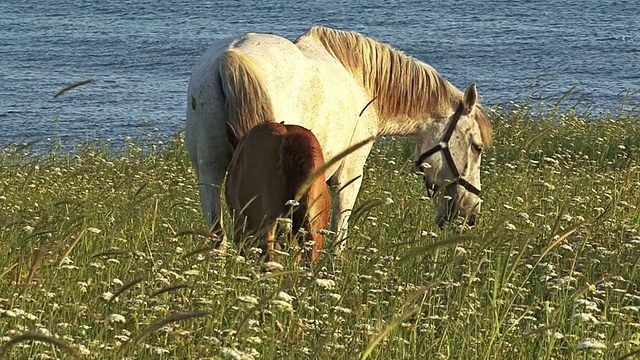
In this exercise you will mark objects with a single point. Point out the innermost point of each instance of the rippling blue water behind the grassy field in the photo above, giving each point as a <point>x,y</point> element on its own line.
<point>141,53</point>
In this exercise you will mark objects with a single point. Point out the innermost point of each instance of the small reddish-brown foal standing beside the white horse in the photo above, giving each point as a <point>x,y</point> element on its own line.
<point>270,163</point>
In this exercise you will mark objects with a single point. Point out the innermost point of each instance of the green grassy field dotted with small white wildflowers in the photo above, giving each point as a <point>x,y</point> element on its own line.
<point>104,258</point>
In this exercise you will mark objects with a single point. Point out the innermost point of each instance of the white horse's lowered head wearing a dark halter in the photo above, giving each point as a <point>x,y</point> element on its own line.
<point>449,153</point>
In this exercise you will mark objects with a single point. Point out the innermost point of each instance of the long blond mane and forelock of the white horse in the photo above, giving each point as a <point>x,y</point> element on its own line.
<point>401,85</point>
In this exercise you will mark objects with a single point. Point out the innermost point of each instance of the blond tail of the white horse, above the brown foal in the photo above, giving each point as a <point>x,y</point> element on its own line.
<point>247,100</point>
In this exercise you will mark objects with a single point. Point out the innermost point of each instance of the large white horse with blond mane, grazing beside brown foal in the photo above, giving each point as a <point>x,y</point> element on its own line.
<point>325,79</point>
